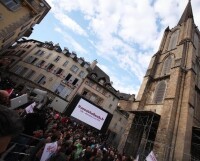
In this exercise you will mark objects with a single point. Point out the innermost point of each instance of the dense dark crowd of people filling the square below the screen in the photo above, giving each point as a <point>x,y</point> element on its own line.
<point>74,140</point>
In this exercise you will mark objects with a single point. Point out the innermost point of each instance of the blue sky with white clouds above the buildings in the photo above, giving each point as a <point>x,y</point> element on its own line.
<point>122,35</point>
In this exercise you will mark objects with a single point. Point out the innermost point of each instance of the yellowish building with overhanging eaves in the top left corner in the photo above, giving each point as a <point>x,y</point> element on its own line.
<point>18,17</point>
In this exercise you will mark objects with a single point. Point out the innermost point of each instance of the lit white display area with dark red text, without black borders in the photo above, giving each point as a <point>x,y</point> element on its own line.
<point>90,114</point>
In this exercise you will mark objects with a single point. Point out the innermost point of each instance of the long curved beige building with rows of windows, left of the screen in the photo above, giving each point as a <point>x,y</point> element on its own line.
<point>36,64</point>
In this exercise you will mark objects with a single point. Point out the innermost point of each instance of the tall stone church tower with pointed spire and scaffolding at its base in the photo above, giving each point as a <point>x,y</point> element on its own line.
<point>165,118</point>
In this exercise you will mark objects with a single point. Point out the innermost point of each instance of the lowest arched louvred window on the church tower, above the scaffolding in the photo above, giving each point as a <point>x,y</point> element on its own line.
<point>160,92</point>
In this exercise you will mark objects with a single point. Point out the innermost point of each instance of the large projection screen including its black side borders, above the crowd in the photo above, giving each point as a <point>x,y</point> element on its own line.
<point>89,113</point>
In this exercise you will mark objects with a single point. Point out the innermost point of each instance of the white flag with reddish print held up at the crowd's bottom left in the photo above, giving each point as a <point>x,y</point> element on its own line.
<point>49,149</point>
